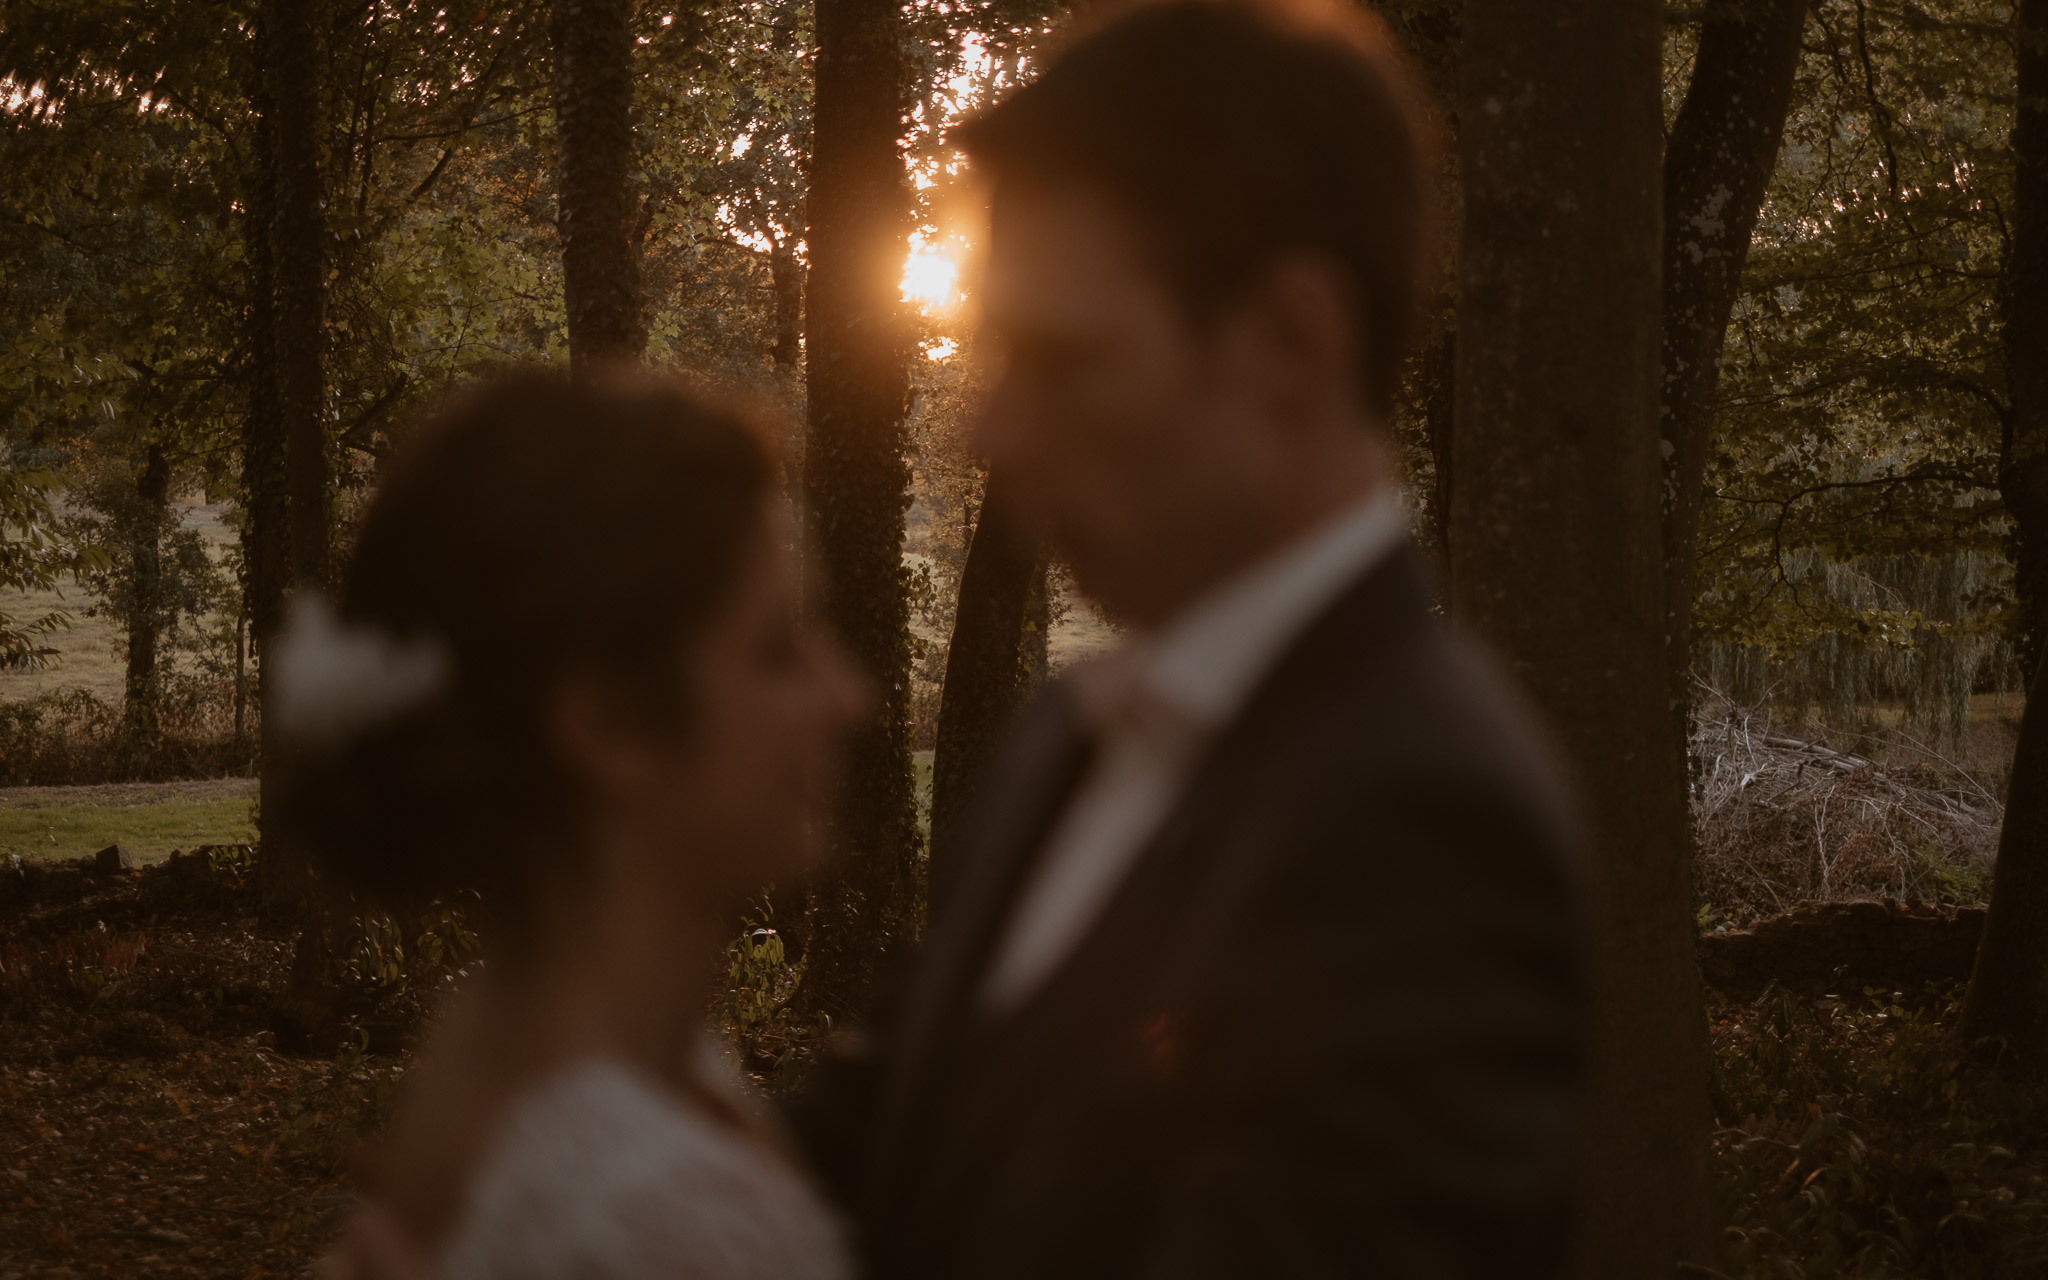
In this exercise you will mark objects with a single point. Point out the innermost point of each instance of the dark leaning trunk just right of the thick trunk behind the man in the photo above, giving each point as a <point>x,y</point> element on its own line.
<point>1717,169</point>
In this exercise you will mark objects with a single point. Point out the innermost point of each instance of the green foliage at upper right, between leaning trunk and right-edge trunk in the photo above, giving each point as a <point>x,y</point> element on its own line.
<point>1852,538</point>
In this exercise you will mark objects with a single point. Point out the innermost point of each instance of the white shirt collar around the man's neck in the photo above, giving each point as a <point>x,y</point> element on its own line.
<point>1209,660</point>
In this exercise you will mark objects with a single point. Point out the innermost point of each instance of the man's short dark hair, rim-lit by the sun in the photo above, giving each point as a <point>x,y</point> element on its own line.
<point>1230,132</point>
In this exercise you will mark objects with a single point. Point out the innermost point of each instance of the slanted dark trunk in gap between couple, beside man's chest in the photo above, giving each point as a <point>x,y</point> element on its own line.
<point>986,667</point>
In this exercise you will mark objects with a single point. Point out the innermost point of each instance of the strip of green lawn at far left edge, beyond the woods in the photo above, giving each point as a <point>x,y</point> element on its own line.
<point>148,818</point>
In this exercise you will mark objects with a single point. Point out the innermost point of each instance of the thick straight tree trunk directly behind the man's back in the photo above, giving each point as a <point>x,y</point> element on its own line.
<point>1555,554</point>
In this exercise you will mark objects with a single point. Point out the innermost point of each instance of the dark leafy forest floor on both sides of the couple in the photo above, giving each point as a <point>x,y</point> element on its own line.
<point>153,1127</point>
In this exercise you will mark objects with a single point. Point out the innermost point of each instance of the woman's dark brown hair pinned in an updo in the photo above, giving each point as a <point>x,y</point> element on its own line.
<point>531,531</point>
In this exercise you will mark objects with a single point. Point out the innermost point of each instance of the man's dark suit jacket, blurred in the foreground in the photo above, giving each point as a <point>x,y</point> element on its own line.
<point>1328,1027</point>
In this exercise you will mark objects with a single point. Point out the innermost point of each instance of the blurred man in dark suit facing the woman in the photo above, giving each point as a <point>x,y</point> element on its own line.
<point>1261,957</point>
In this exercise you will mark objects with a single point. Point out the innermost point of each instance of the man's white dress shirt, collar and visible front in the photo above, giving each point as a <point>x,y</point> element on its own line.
<point>1154,706</point>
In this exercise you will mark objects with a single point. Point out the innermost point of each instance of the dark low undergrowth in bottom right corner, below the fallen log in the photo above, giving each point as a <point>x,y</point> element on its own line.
<point>1859,1140</point>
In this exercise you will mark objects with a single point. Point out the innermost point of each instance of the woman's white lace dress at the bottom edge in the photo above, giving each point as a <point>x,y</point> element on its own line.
<point>605,1177</point>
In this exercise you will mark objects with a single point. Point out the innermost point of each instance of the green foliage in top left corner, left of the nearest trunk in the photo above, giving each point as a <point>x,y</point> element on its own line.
<point>118,232</point>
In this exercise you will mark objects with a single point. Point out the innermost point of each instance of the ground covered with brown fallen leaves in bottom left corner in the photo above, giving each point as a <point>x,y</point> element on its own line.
<point>148,1125</point>
